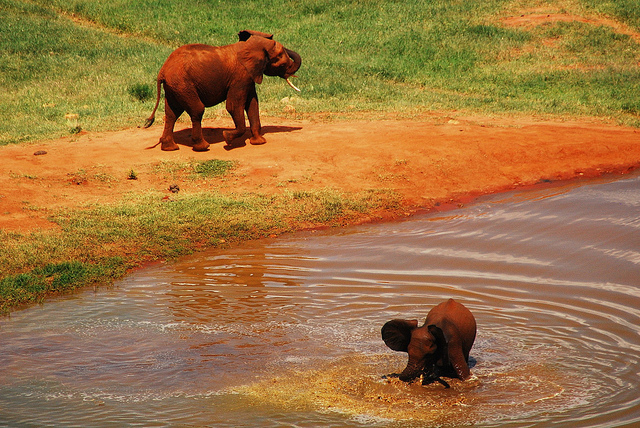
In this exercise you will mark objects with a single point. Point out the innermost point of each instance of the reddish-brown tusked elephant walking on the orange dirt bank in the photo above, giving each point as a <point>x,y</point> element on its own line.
<point>198,76</point>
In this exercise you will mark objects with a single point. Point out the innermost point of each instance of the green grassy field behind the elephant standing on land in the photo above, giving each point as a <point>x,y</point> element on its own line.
<point>376,55</point>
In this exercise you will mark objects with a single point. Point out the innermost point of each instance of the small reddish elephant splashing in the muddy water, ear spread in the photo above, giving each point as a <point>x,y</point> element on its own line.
<point>438,348</point>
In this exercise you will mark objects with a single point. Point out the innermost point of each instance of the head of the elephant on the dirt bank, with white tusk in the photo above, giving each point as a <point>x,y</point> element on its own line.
<point>263,55</point>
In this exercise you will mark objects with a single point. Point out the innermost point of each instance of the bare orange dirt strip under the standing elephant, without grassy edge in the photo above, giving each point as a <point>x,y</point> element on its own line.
<point>430,160</point>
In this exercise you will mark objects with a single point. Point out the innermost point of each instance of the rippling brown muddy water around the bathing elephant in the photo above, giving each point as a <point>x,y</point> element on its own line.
<point>286,332</point>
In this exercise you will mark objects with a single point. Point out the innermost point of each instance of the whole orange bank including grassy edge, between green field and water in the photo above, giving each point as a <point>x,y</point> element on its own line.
<point>311,174</point>
